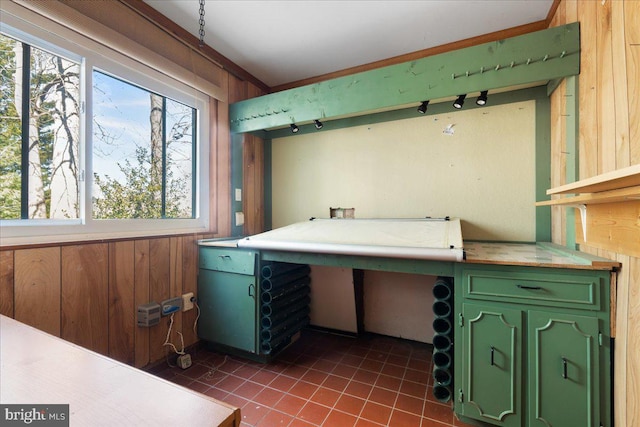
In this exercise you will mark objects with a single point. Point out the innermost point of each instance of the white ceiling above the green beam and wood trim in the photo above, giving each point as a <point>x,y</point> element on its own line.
<point>280,41</point>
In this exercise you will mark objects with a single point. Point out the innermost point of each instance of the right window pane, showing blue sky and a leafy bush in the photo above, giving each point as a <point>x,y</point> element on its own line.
<point>142,157</point>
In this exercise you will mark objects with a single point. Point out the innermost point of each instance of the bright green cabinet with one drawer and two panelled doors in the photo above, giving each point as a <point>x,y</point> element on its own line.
<point>534,346</point>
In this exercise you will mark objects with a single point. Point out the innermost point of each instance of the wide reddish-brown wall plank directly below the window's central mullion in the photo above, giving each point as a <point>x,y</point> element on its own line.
<point>85,296</point>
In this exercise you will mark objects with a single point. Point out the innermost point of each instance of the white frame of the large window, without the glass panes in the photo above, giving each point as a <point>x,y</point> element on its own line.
<point>63,42</point>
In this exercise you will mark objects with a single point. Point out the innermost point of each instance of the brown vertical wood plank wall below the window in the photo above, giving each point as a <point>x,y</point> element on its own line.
<point>88,293</point>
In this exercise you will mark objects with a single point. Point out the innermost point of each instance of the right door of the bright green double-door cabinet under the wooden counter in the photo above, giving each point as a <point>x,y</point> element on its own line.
<point>563,370</point>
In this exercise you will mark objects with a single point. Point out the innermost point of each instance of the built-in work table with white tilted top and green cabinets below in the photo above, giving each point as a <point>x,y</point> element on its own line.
<point>514,308</point>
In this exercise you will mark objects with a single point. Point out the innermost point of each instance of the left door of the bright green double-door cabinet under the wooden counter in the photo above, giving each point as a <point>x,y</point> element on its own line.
<point>492,364</point>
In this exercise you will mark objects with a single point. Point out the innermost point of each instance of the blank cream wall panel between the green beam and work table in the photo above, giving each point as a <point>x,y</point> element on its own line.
<point>484,173</point>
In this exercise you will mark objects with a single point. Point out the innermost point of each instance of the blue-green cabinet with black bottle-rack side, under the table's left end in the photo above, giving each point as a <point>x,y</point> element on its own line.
<point>250,307</point>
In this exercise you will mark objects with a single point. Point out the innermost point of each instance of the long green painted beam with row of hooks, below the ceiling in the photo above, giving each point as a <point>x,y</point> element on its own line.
<point>535,57</point>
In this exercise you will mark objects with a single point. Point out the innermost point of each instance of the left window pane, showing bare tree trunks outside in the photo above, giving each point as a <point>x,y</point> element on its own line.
<point>48,173</point>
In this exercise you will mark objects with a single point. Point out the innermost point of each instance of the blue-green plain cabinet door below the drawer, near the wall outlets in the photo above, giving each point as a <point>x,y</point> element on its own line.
<point>227,309</point>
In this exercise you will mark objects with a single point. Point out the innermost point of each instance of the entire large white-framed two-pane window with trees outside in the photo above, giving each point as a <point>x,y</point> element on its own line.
<point>93,143</point>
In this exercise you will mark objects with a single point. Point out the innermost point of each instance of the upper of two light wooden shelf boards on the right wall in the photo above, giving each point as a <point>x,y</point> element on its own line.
<point>622,178</point>
